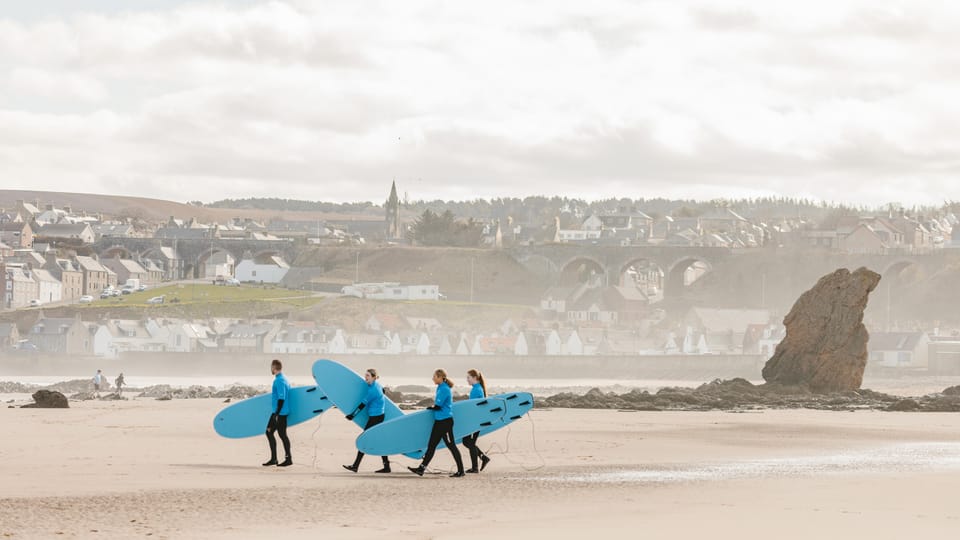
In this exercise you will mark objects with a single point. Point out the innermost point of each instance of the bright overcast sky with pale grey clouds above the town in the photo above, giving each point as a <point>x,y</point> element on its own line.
<point>839,100</point>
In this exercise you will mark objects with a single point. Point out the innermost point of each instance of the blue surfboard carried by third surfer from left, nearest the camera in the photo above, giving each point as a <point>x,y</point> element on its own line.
<point>410,433</point>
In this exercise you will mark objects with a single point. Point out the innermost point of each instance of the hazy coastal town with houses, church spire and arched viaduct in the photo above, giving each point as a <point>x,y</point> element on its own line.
<point>609,283</point>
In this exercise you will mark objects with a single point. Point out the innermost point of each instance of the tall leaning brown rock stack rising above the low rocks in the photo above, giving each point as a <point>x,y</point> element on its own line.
<point>825,348</point>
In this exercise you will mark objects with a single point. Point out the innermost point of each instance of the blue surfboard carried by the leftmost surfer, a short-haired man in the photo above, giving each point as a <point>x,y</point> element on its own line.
<point>248,418</point>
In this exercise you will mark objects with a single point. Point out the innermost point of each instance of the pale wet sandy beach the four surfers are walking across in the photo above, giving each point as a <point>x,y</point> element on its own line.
<point>147,468</point>
